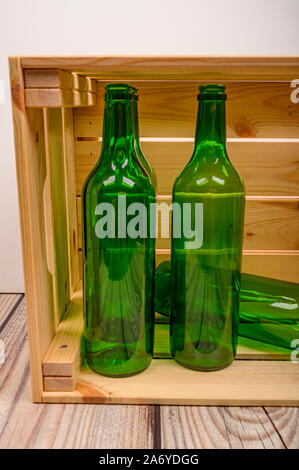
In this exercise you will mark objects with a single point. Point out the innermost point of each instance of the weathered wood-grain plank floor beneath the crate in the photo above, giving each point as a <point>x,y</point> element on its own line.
<point>27,425</point>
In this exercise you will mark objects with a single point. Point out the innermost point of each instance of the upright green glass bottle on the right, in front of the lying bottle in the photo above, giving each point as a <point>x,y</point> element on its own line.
<point>207,245</point>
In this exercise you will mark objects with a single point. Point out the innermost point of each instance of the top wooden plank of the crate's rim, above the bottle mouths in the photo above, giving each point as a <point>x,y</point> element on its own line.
<point>175,67</point>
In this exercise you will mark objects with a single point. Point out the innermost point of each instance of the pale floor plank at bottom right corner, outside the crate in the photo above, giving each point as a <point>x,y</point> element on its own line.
<point>286,421</point>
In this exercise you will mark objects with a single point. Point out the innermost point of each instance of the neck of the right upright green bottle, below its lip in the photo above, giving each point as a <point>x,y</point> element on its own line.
<point>211,125</point>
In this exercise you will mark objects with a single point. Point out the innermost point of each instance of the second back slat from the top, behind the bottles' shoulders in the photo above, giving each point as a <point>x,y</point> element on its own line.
<point>268,169</point>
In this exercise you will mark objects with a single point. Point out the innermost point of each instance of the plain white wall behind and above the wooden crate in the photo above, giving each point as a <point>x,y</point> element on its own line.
<point>219,27</point>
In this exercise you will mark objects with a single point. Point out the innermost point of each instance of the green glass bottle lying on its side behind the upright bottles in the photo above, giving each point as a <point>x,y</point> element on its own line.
<point>269,308</point>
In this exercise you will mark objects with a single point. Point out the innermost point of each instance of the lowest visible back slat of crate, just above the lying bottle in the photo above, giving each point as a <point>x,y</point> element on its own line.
<point>282,265</point>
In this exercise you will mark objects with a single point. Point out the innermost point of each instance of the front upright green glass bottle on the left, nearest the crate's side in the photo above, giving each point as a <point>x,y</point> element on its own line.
<point>118,254</point>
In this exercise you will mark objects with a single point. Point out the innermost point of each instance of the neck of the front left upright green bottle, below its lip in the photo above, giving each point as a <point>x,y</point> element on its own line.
<point>117,127</point>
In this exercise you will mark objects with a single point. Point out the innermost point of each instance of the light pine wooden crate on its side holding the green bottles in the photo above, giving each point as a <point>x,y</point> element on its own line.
<point>57,110</point>
